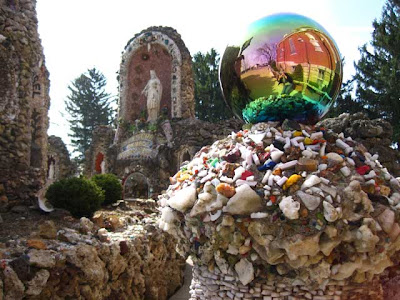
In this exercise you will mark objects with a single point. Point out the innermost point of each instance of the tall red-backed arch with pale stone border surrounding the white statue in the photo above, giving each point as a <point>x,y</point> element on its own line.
<point>176,73</point>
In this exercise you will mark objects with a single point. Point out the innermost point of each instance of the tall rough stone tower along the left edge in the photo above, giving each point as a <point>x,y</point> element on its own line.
<point>24,102</point>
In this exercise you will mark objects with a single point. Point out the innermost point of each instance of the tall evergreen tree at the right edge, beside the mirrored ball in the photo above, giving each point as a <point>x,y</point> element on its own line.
<point>378,70</point>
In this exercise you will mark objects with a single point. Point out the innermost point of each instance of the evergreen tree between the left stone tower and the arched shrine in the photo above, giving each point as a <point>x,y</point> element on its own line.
<point>88,106</point>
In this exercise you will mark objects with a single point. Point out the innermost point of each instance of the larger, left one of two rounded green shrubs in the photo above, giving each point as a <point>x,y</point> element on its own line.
<point>80,196</point>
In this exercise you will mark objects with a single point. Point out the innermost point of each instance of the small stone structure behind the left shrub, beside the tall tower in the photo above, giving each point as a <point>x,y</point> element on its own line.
<point>59,165</point>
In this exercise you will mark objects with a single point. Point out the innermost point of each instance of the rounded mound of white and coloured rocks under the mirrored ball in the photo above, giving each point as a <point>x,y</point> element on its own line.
<point>293,204</point>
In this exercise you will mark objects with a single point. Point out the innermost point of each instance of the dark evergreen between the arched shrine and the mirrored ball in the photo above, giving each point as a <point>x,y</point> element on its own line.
<point>210,105</point>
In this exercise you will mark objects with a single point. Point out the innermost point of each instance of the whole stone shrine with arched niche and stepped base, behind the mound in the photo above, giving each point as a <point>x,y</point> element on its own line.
<point>145,154</point>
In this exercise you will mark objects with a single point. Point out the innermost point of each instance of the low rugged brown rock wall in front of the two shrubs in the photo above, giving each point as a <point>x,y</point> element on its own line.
<point>131,259</point>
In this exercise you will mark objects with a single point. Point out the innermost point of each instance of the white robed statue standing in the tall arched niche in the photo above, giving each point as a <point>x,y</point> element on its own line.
<point>153,91</point>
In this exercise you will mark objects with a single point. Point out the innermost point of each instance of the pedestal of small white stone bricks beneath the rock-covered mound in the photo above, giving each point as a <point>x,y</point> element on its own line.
<point>215,285</point>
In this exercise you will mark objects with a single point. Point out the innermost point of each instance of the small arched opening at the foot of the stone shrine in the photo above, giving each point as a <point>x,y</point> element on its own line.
<point>136,185</point>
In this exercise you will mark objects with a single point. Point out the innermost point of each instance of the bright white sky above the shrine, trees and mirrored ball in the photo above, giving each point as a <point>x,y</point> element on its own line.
<point>81,34</point>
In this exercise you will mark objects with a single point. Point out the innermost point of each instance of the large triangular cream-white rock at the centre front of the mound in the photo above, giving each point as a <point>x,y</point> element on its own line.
<point>244,202</point>
